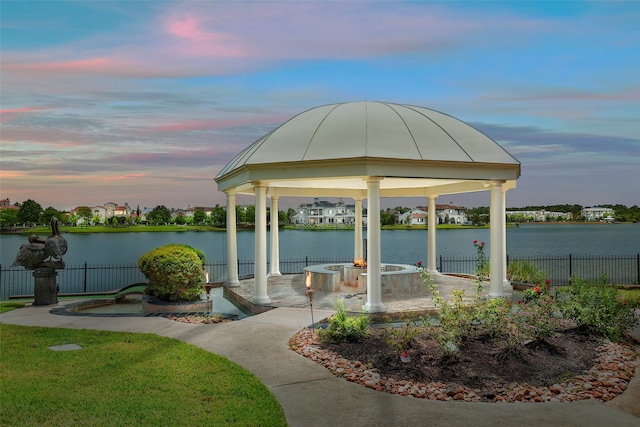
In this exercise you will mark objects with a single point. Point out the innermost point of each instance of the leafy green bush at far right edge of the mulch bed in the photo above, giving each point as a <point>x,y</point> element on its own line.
<point>598,308</point>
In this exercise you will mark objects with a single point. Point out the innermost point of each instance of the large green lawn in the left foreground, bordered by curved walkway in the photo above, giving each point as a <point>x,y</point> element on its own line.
<point>124,379</point>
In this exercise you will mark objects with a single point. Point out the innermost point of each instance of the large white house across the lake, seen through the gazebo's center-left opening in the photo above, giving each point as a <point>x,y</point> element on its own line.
<point>325,212</point>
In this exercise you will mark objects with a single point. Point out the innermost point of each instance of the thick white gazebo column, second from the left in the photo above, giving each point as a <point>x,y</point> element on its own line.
<point>260,267</point>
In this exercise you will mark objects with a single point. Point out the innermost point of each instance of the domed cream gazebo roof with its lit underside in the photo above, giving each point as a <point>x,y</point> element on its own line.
<point>331,150</point>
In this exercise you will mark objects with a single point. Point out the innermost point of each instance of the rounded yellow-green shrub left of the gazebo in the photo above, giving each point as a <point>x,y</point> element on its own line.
<point>175,273</point>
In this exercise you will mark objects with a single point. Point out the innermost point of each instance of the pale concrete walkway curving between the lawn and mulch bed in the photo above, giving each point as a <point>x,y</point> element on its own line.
<point>311,396</point>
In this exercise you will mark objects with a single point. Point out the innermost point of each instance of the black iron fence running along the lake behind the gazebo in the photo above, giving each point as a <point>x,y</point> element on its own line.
<point>92,279</point>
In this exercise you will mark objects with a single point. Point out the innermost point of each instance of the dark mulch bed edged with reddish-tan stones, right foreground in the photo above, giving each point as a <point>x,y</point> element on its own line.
<point>569,366</point>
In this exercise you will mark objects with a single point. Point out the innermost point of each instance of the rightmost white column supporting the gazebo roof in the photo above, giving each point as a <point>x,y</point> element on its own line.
<point>496,240</point>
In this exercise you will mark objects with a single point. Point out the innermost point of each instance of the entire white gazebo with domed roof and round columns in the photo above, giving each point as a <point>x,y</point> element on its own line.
<point>367,150</point>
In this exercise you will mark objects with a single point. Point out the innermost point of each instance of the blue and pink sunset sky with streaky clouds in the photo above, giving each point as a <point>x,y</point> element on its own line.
<point>145,101</point>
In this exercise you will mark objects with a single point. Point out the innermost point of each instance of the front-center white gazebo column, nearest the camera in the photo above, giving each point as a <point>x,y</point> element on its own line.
<point>374,285</point>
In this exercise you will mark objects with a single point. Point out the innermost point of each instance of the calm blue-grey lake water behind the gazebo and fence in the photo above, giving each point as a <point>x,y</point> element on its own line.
<point>398,246</point>
